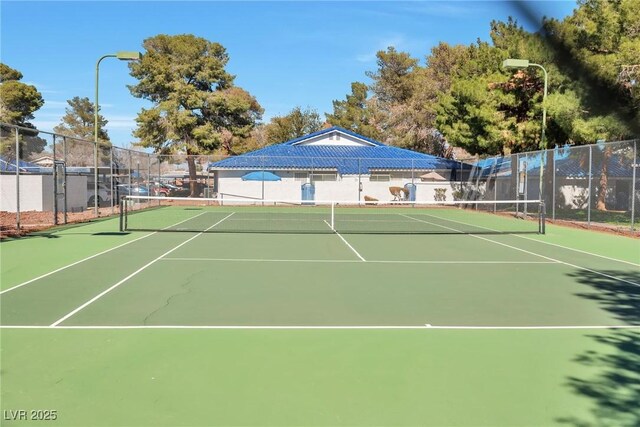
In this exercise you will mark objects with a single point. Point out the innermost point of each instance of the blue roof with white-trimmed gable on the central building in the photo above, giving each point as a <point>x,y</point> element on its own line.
<point>343,158</point>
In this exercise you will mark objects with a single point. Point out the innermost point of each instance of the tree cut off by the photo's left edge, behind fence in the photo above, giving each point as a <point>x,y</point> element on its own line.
<point>18,102</point>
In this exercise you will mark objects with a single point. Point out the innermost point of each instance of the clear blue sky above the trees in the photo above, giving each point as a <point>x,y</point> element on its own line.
<point>285,53</point>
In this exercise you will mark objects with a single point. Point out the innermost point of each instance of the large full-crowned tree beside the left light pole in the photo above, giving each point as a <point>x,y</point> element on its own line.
<point>196,106</point>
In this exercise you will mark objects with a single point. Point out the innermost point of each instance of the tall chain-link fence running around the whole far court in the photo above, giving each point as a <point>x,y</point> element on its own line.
<point>48,179</point>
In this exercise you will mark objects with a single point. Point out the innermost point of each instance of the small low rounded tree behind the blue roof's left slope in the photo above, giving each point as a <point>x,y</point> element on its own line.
<point>297,123</point>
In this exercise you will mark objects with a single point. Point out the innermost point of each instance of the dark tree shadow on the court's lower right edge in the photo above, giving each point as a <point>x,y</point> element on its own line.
<point>614,386</point>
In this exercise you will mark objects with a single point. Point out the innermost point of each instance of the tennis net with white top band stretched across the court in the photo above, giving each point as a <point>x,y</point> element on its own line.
<point>181,214</point>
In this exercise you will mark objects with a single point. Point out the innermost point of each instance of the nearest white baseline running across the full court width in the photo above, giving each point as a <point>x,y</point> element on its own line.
<point>328,327</point>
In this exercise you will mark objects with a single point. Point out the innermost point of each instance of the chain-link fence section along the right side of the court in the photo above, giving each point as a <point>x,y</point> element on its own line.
<point>589,186</point>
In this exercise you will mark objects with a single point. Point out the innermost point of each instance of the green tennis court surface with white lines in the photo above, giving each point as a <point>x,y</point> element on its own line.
<point>404,318</point>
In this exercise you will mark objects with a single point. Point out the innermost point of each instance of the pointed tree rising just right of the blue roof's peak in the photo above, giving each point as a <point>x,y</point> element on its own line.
<point>355,113</point>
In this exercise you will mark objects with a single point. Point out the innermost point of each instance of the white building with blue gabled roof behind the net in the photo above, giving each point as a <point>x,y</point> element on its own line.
<point>336,164</point>
